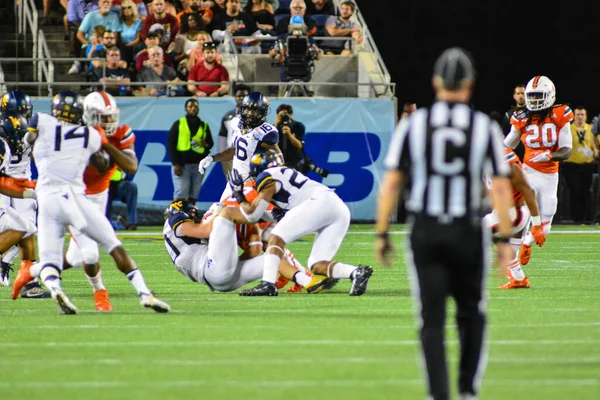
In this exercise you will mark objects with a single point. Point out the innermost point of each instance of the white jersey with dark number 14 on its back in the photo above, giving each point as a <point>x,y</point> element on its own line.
<point>61,152</point>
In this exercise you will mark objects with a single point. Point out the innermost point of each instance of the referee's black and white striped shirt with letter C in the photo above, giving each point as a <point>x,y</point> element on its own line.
<point>444,151</point>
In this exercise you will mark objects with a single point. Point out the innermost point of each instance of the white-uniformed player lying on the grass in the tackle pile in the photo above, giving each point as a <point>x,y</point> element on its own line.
<point>206,251</point>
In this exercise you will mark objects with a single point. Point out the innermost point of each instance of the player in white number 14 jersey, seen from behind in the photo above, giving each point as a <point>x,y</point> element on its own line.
<point>62,149</point>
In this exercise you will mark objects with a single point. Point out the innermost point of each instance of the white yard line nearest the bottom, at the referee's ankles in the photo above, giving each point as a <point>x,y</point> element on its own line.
<point>280,384</point>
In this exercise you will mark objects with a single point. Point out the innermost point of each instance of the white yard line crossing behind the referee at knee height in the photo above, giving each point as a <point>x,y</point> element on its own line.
<point>332,342</point>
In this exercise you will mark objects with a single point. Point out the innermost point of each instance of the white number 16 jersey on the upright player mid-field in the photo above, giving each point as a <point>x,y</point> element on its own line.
<point>247,142</point>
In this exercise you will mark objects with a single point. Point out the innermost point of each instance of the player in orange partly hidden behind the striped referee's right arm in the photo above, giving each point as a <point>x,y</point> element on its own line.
<point>525,209</point>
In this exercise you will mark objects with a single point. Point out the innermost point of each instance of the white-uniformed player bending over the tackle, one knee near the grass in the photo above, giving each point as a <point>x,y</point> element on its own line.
<point>311,208</point>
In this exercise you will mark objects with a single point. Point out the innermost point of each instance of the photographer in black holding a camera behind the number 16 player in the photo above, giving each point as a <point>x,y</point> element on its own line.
<point>291,135</point>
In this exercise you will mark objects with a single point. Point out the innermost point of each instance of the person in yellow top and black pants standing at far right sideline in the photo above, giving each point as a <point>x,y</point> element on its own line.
<point>579,168</point>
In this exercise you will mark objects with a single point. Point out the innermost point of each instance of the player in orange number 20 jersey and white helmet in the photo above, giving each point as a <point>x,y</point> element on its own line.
<point>545,130</point>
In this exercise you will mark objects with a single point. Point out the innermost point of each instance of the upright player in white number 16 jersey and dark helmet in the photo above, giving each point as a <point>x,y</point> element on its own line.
<point>252,135</point>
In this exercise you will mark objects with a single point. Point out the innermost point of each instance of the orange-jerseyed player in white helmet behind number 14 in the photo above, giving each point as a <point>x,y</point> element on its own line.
<point>100,110</point>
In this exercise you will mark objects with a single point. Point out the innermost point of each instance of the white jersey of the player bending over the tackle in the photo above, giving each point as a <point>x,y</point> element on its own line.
<point>291,187</point>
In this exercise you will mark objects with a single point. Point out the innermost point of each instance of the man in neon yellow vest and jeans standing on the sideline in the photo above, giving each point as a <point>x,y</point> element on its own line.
<point>189,142</point>
